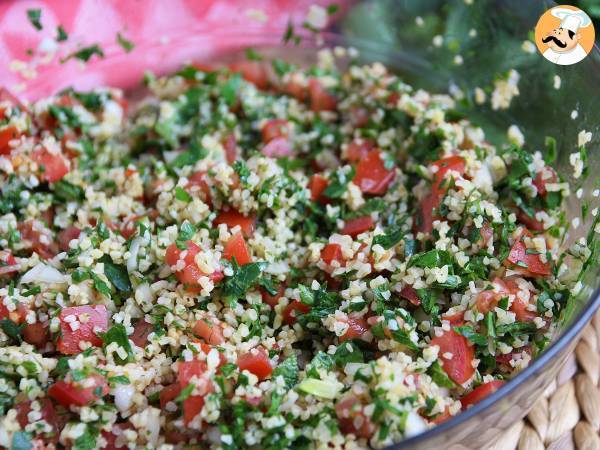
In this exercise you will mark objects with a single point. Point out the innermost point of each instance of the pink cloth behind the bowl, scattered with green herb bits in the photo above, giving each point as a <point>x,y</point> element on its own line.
<point>165,33</point>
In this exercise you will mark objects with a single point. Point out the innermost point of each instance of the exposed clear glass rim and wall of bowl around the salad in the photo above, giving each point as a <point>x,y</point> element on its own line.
<point>390,31</point>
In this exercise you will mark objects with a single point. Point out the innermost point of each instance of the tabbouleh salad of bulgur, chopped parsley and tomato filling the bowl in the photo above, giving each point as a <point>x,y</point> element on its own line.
<point>264,256</point>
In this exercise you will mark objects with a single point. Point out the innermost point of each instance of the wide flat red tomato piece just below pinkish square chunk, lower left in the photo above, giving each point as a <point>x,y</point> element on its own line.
<point>79,393</point>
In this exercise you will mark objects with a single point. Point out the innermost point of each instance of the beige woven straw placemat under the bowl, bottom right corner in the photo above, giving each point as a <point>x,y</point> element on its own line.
<point>568,415</point>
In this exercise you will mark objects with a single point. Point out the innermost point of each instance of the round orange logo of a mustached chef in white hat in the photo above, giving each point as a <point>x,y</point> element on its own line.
<point>564,35</point>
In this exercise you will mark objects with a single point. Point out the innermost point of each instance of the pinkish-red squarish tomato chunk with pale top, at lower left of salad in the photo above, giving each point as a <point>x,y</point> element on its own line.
<point>80,324</point>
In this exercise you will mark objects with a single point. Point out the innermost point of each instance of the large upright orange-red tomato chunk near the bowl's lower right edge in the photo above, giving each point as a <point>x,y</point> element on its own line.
<point>459,366</point>
